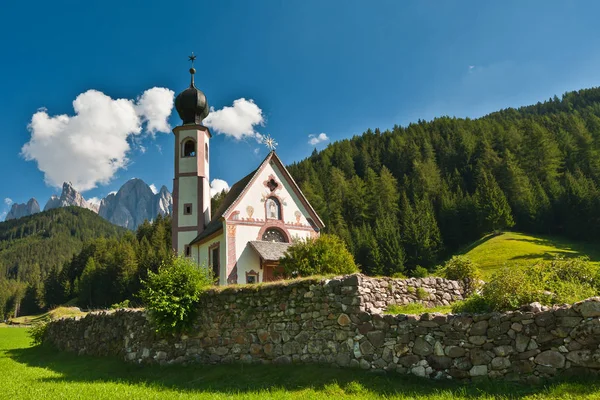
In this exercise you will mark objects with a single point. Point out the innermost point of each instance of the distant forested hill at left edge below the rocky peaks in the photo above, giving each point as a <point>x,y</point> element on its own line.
<point>32,247</point>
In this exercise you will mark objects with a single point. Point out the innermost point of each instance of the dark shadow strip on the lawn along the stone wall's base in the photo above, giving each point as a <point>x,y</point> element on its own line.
<point>238,378</point>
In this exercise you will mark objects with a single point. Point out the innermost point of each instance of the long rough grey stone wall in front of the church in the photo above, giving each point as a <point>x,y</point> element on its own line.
<point>332,322</point>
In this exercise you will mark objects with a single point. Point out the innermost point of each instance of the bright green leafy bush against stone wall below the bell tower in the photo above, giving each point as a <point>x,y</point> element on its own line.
<point>171,295</point>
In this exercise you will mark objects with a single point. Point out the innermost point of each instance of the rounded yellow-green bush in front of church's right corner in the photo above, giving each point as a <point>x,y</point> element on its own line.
<point>322,256</point>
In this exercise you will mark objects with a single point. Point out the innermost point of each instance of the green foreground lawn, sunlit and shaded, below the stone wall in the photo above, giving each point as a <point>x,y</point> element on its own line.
<point>43,373</point>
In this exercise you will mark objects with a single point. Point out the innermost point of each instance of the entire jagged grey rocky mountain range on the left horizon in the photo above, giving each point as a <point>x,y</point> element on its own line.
<point>129,207</point>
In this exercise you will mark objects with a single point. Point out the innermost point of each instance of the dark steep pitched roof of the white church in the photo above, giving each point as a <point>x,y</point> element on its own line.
<point>241,186</point>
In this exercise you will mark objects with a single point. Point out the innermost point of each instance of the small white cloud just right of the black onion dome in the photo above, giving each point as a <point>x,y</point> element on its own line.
<point>238,120</point>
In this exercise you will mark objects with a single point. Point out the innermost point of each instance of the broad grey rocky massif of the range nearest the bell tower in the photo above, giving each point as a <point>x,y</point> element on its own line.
<point>134,203</point>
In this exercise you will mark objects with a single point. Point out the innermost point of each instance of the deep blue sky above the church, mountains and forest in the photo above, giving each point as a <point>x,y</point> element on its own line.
<point>311,67</point>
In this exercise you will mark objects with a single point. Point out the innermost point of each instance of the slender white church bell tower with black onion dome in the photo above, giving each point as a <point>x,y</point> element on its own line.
<point>191,187</point>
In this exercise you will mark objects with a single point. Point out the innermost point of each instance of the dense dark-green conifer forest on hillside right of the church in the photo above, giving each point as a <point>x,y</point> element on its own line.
<point>413,195</point>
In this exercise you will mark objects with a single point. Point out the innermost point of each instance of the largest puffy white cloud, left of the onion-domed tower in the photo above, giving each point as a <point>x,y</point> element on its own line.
<point>89,147</point>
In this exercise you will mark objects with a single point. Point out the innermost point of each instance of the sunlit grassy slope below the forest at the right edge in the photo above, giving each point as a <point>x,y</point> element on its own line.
<point>512,248</point>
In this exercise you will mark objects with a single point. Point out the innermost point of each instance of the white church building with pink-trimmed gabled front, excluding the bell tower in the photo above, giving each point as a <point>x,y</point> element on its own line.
<point>258,219</point>
